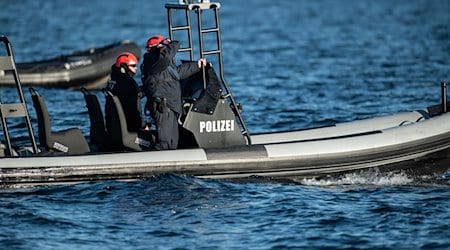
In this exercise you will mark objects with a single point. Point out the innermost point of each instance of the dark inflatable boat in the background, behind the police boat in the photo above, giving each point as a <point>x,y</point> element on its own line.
<point>89,68</point>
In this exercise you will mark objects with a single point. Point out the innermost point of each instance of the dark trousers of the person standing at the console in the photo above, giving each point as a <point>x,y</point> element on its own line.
<point>167,129</point>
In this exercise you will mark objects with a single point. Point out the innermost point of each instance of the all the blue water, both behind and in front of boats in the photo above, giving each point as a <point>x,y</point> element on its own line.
<point>292,64</point>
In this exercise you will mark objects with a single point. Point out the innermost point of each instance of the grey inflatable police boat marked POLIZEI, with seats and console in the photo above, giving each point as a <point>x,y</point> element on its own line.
<point>215,141</point>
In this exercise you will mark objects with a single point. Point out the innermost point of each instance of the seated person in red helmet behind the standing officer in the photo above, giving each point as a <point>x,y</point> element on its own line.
<point>122,84</point>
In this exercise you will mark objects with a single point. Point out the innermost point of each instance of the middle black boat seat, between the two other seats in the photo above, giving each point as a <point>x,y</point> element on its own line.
<point>98,137</point>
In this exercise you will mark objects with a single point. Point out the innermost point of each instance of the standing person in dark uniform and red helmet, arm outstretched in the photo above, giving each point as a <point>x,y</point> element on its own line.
<point>161,84</point>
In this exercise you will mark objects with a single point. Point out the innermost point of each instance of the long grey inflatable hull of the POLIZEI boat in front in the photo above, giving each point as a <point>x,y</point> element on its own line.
<point>420,147</point>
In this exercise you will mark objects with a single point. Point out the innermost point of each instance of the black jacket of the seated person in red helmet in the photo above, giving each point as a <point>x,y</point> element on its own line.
<point>127,90</point>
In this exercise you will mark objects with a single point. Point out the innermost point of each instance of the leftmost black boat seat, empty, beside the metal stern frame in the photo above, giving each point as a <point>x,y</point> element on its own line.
<point>70,141</point>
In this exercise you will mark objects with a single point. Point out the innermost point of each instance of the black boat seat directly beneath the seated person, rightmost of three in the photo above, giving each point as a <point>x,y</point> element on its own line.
<point>117,130</point>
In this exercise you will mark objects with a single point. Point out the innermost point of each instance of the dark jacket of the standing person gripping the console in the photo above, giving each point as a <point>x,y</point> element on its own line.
<point>161,77</point>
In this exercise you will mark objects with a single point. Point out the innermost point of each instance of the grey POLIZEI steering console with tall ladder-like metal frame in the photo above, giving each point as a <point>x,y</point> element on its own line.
<point>213,120</point>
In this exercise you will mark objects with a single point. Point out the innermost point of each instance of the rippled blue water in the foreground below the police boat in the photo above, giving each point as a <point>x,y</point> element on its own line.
<point>169,212</point>
